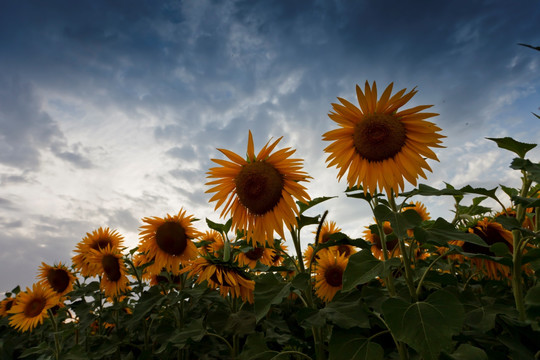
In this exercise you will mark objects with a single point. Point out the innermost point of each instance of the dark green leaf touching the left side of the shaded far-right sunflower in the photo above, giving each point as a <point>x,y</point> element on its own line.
<point>441,232</point>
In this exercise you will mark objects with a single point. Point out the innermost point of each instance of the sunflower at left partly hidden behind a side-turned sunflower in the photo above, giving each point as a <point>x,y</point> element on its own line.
<point>97,239</point>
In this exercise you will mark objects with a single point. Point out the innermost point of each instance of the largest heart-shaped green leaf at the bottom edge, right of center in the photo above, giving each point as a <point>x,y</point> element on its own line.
<point>426,326</point>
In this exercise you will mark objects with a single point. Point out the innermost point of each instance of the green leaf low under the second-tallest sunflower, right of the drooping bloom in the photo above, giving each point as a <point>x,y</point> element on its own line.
<point>269,290</point>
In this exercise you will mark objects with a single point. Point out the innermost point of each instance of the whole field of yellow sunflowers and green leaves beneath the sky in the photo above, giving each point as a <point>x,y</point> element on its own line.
<point>412,287</point>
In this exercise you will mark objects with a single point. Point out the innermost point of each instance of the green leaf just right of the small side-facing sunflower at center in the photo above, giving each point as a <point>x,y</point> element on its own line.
<point>364,267</point>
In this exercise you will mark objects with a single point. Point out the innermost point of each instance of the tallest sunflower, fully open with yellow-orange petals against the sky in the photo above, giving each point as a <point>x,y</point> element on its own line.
<point>378,145</point>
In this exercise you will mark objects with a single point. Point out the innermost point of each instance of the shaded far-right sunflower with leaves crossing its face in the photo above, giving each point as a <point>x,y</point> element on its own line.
<point>491,232</point>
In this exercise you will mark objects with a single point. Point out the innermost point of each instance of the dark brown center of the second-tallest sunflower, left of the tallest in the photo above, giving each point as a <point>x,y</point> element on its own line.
<point>259,187</point>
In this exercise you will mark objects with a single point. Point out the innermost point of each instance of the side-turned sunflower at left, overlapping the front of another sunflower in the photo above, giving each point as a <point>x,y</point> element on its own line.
<point>112,270</point>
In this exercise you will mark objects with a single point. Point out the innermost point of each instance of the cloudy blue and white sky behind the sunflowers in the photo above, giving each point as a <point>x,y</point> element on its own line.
<point>111,111</point>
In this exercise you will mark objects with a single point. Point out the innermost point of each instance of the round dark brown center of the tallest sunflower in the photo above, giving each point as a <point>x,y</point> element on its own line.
<point>379,137</point>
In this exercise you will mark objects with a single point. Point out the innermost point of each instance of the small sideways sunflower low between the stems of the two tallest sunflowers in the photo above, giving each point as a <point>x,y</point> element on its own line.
<point>329,275</point>
